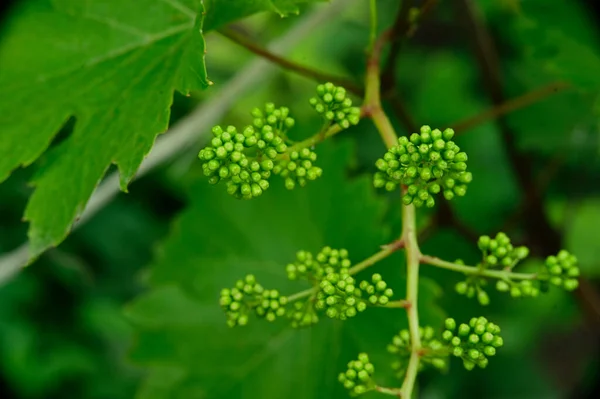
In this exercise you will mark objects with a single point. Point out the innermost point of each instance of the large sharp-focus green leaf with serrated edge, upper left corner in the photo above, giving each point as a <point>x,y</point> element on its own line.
<point>113,66</point>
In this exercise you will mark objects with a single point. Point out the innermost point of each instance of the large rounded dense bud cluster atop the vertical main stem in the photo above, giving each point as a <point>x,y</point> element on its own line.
<point>427,163</point>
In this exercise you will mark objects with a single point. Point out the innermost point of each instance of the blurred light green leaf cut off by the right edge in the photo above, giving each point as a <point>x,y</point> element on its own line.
<point>581,238</point>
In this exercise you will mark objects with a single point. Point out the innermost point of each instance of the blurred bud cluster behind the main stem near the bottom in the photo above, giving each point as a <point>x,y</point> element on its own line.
<point>433,353</point>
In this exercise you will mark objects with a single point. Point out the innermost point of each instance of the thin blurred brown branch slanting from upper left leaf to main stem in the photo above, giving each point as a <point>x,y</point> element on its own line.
<point>290,65</point>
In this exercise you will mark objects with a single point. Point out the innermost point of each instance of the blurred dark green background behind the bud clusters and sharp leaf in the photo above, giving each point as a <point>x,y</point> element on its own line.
<point>63,331</point>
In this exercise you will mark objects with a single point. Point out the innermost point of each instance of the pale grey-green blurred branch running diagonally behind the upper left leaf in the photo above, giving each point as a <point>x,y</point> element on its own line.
<point>191,131</point>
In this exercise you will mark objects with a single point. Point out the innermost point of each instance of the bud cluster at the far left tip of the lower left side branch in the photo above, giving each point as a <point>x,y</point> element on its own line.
<point>247,296</point>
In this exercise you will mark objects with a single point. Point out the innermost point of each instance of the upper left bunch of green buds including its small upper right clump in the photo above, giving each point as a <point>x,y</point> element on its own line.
<point>245,160</point>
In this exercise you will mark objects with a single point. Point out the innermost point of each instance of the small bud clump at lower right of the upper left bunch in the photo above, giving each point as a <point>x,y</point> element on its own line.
<point>299,168</point>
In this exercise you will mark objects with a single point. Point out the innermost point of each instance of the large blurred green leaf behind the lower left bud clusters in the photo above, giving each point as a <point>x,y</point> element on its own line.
<point>182,336</point>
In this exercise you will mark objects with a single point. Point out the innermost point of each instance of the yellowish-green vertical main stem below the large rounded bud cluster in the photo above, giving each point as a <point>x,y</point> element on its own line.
<point>413,258</point>
